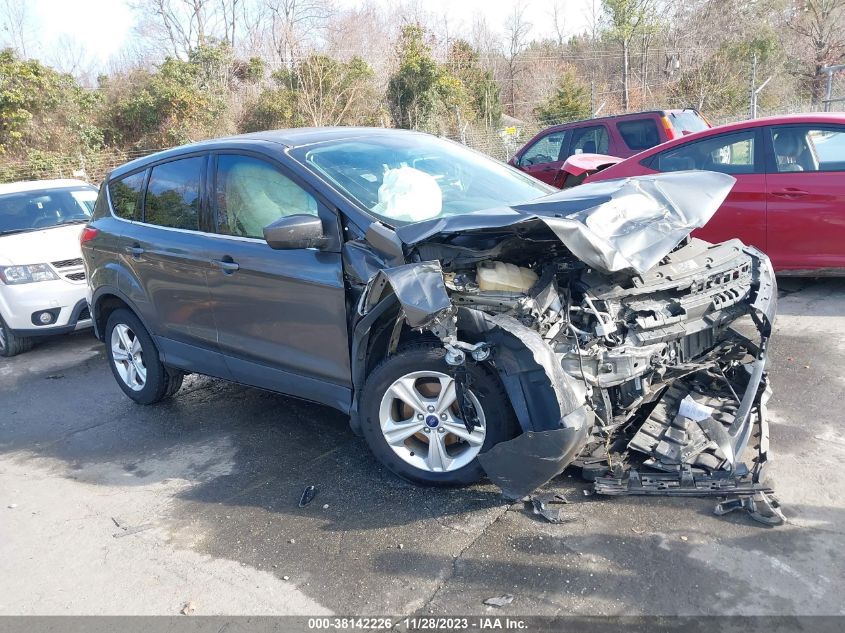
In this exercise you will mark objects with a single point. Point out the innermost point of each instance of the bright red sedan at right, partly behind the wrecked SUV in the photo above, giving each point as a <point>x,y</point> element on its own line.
<point>789,197</point>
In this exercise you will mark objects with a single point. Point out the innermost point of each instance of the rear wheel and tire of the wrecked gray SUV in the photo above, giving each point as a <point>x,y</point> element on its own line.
<point>134,360</point>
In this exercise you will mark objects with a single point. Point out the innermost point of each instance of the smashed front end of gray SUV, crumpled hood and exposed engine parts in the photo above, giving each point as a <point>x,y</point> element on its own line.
<point>614,338</point>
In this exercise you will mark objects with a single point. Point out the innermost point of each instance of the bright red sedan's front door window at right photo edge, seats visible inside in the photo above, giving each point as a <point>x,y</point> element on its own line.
<point>805,148</point>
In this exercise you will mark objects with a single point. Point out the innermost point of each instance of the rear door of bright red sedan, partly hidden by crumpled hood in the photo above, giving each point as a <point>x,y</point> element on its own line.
<point>740,154</point>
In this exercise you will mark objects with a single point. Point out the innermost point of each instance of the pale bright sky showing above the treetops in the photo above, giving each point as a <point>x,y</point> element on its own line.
<point>102,27</point>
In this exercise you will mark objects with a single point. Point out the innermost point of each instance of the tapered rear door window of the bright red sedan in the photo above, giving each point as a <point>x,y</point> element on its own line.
<point>728,154</point>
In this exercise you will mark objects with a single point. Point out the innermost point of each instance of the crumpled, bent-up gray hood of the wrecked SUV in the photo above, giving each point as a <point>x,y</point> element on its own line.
<point>614,225</point>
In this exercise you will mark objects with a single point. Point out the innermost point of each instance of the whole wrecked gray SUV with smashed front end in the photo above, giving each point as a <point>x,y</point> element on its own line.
<point>469,319</point>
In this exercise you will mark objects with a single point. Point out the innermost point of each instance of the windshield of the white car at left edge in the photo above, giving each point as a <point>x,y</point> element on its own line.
<point>44,208</point>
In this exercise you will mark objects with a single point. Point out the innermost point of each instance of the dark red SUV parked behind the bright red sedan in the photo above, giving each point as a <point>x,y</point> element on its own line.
<point>623,135</point>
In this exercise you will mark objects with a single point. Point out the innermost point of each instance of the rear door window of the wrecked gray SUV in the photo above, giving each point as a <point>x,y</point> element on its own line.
<point>173,195</point>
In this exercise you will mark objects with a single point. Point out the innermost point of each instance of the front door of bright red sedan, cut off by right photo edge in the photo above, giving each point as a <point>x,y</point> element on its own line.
<point>805,189</point>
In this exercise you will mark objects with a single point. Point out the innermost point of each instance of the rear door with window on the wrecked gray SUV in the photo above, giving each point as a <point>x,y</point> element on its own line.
<point>168,253</point>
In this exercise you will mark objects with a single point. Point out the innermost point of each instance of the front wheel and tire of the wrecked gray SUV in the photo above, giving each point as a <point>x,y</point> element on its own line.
<point>412,421</point>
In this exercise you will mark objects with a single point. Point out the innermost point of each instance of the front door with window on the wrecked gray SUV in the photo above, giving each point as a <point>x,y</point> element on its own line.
<point>281,314</point>
